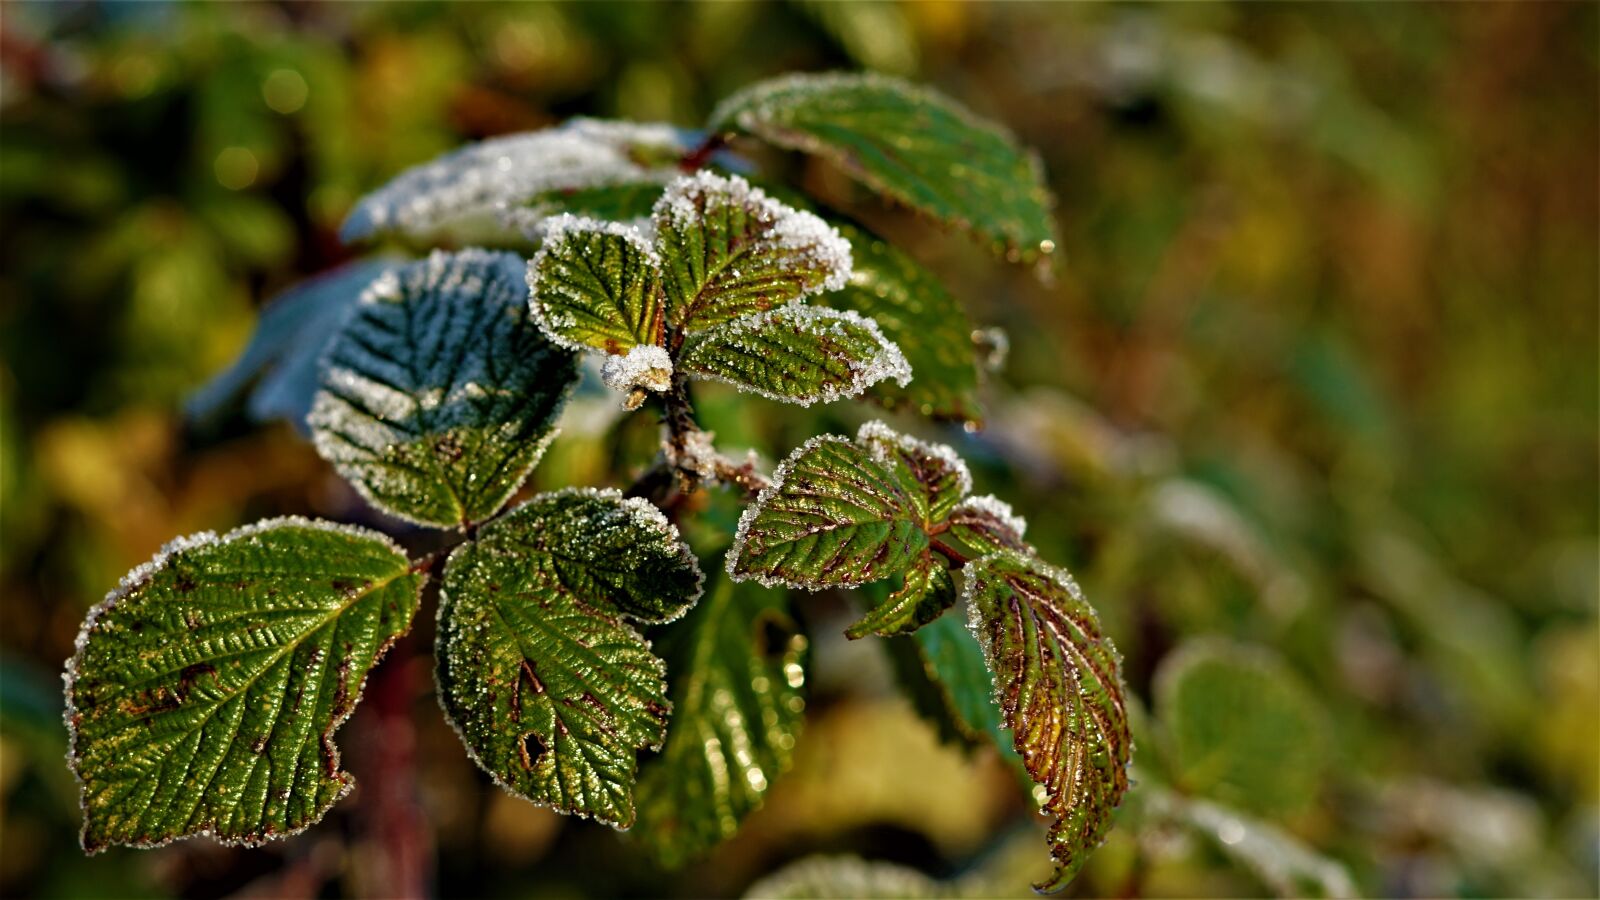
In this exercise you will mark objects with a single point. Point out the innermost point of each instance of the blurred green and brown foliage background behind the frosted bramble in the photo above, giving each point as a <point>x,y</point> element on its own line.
<point>1310,409</point>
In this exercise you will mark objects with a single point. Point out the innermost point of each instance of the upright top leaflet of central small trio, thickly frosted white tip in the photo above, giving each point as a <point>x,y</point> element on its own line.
<point>730,251</point>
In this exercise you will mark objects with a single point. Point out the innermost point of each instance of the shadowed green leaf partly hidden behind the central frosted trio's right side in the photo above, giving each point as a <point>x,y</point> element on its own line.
<point>929,326</point>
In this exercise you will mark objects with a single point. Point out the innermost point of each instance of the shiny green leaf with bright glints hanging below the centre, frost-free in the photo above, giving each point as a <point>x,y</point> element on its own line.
<point>738,673</point>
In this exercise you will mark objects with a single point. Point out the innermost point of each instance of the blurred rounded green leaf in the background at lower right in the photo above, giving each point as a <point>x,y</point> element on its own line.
<point>1241,728</point>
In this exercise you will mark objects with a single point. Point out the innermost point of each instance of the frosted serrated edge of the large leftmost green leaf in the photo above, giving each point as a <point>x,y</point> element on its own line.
<point>142,576</point>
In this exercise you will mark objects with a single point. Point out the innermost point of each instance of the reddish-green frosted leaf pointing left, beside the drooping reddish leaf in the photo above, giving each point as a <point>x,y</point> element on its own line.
<point>834,516</point>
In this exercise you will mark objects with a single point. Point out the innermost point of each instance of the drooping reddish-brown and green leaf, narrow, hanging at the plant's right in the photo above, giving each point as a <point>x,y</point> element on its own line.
<point>1060,691</point>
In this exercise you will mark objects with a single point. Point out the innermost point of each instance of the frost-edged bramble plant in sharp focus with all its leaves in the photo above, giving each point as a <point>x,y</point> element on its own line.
<point>207,689</point>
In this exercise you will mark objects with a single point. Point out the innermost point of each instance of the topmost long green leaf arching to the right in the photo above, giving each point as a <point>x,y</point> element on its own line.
<point>910,143</point>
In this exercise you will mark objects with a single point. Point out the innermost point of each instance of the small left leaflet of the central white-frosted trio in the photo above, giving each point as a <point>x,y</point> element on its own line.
<point>598,286</point>
